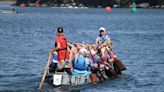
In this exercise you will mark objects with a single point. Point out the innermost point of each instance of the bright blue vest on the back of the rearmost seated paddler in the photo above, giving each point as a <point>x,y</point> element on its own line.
<point>81,63</point>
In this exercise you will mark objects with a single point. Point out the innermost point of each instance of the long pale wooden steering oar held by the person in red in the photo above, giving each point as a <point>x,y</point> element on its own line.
<point>46,70</point>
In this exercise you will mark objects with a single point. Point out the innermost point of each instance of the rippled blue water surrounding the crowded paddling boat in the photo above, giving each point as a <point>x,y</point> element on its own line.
<point>25,40</point>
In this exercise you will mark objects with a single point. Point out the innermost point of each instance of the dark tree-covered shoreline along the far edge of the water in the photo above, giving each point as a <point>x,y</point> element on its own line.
<point>94,3</point>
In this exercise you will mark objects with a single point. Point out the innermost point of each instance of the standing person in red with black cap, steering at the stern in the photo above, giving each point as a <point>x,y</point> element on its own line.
<point>61,48</point>
